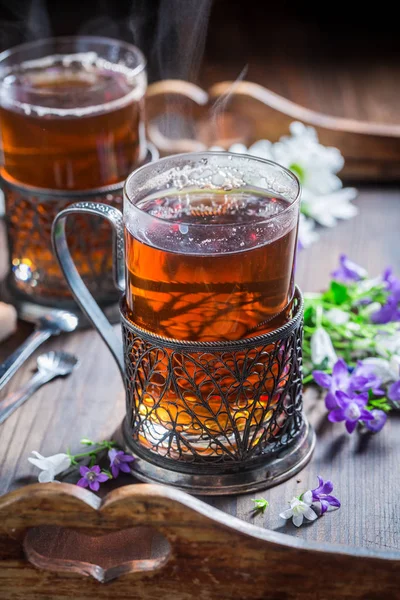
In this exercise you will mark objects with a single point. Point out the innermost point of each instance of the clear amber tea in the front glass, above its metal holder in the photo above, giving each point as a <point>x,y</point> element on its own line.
<point>235,289</point>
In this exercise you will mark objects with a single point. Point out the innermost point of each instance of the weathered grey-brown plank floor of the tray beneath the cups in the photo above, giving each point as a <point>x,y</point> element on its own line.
<point>366,473</point>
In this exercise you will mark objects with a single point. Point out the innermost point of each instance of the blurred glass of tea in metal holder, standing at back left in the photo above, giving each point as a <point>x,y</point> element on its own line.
<point>71,127</point>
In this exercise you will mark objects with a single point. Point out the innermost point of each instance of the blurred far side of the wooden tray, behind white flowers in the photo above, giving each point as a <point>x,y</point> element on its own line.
<point>245,112</point>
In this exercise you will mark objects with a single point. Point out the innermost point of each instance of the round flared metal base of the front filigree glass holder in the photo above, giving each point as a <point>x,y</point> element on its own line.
<point>274,470</point>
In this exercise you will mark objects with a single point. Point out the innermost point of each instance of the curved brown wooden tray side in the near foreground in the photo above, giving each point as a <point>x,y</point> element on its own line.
<point>210,555</point>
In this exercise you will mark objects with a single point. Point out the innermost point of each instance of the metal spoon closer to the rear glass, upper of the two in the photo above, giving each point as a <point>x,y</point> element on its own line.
<point>52,323</point>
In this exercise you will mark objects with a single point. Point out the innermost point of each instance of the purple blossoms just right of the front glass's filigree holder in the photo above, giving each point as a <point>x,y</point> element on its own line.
<point>361,380</point>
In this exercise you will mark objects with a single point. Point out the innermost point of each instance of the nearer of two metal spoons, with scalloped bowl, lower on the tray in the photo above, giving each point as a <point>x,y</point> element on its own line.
<point>50,365</point>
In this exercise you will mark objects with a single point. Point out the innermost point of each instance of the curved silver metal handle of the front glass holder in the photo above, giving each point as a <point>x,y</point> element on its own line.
<point>81,294</point>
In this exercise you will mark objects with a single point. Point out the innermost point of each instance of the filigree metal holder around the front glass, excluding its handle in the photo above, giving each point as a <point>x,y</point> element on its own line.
<point>215,417</point>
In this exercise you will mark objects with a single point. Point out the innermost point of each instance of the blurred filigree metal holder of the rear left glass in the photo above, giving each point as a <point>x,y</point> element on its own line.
<point>34,275</point>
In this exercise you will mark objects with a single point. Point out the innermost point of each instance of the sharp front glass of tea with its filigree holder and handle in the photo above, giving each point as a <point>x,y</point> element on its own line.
<point>211,319</point>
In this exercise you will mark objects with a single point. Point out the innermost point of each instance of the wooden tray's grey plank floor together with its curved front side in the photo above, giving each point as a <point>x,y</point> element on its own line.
<point>352,553</point>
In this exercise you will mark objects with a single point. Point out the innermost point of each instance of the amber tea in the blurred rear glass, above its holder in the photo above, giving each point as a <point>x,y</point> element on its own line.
<point>70,122</point>
